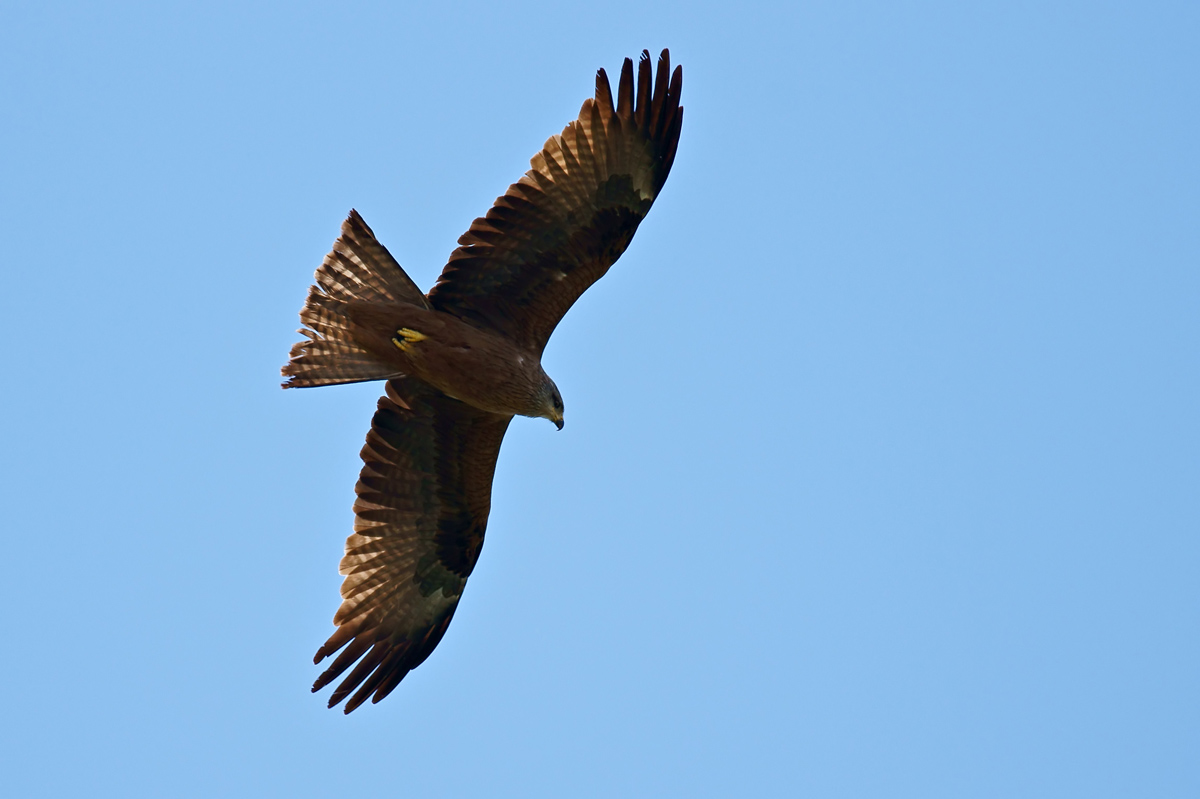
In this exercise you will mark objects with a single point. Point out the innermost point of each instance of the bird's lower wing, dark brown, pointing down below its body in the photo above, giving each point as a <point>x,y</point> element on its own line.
<point>423,502</point>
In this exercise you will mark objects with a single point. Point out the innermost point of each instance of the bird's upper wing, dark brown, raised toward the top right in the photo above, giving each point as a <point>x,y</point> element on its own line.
<point>560,229</point>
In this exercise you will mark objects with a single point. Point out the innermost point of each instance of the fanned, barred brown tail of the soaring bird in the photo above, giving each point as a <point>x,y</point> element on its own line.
<point>358,269</point>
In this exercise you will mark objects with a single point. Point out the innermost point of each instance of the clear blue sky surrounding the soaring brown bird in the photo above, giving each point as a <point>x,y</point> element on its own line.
<point>881,474</point>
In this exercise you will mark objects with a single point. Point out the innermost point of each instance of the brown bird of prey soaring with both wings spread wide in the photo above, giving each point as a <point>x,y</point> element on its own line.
<point>463,361</point>
